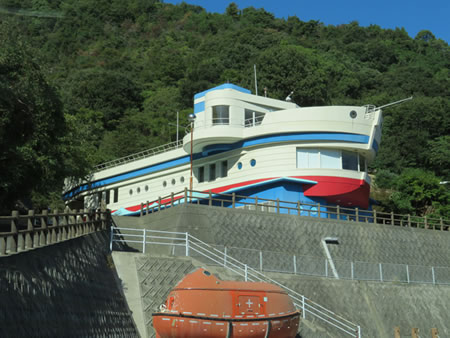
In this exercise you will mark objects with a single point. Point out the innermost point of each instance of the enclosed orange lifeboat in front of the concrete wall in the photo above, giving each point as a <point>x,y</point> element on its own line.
<point>201,305</point>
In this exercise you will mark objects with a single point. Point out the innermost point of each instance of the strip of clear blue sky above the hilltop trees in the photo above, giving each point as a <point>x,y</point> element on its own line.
<point>413,15</point>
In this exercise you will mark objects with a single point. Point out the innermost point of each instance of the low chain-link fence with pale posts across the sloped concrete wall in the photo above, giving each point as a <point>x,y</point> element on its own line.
<point>272,261</point>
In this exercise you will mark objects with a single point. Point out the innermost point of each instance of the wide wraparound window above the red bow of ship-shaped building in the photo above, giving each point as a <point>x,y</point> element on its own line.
<point>330,159</point>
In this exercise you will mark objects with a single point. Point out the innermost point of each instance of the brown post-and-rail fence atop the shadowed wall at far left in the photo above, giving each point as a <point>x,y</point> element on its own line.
<point>20,233</point>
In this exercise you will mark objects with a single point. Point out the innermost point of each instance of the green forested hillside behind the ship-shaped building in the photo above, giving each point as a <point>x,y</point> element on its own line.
<point>84,81</point>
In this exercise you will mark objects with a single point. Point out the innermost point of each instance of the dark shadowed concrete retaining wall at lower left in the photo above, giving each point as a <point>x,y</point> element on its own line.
<point>67,289</point>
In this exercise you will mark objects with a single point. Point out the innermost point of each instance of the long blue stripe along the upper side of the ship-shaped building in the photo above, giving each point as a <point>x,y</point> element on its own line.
<point>342,137</point>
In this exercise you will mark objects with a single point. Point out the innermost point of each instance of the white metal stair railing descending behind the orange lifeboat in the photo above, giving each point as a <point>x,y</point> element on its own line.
<point>191,244</point>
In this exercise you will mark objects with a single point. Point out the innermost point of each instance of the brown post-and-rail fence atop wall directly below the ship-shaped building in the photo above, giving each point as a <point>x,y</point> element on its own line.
<point>293,208</point>
